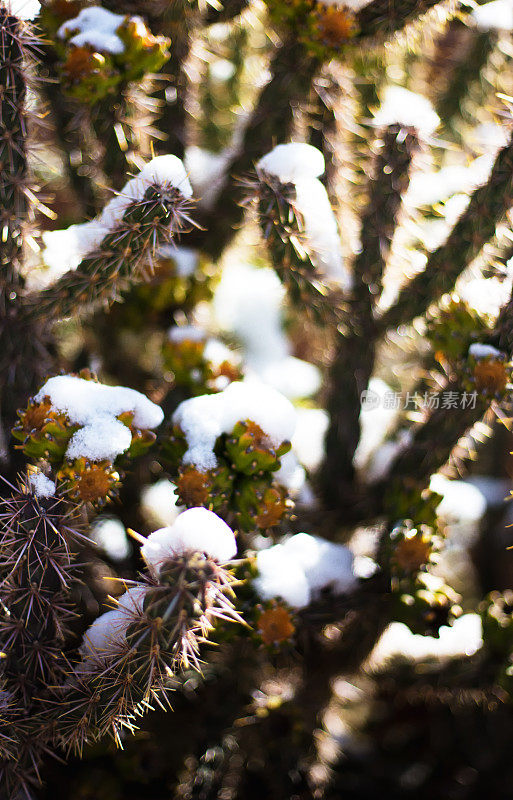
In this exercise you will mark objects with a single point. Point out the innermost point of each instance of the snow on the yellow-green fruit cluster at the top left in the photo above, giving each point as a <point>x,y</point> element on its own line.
<point>95,27</point>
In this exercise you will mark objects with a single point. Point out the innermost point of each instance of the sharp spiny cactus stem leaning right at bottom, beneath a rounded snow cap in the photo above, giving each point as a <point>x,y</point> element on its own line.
<point>110,691</point>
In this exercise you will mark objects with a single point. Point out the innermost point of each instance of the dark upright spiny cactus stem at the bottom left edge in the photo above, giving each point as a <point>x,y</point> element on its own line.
<point>38,537</point>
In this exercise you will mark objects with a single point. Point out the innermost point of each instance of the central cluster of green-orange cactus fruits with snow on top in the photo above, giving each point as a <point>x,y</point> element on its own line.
<point>224,450</point>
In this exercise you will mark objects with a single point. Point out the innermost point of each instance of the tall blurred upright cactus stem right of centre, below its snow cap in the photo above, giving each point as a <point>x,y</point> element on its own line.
<point>354,357</point>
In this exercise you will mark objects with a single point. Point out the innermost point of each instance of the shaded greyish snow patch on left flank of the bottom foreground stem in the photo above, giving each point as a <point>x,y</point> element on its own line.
<point>106,636</point>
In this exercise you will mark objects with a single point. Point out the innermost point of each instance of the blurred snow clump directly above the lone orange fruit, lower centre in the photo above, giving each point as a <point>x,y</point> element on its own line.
<point>298,570</point>
